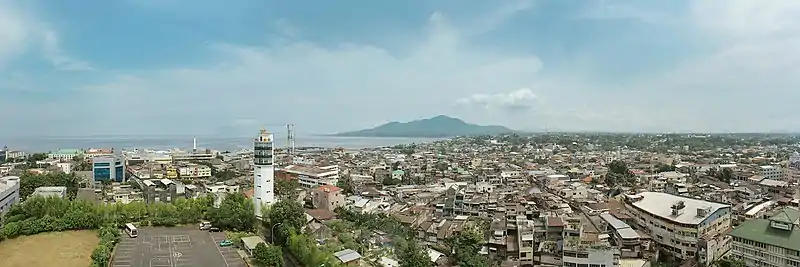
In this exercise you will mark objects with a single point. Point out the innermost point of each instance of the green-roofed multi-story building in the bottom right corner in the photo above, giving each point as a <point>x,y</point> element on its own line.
<point>774,241</point>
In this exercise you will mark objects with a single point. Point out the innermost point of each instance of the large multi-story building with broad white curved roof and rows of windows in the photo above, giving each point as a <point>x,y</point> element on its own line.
<point>686,227</point>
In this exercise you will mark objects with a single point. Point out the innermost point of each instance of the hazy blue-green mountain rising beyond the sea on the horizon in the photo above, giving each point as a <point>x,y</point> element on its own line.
<point>436,127</point>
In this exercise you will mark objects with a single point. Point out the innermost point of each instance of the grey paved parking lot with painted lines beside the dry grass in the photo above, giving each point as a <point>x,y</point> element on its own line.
<point>174,247</point>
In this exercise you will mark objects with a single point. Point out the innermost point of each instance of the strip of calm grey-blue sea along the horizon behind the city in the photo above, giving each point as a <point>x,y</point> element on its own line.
<point>45,144</point>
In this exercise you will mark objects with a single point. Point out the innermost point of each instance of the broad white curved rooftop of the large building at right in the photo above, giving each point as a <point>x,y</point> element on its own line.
<point>660,204</point>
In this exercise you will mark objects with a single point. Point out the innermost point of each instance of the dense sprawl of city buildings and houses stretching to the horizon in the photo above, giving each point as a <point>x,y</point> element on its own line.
<point>508,200</point>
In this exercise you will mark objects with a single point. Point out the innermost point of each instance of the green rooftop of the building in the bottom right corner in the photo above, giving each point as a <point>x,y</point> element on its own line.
<point>761,230</point>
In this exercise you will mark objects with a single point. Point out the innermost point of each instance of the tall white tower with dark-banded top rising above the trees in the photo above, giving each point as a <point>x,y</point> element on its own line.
<point>263,171</point>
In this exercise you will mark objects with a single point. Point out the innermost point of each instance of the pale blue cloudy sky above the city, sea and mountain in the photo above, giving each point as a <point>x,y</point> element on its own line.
<point>159,67</point>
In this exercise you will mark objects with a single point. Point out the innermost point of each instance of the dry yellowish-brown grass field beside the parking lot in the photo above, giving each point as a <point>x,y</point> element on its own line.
<point>66,249</point>
